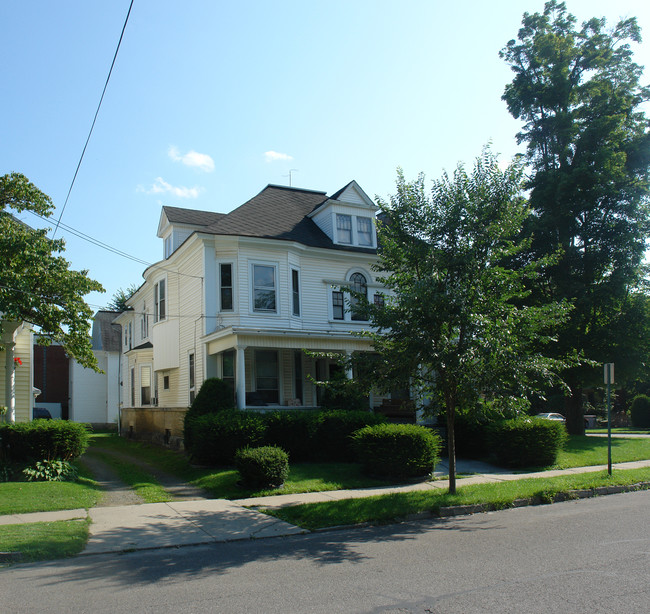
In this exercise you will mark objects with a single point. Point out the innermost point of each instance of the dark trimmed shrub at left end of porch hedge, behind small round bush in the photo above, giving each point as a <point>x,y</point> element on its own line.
<point>215,438</point>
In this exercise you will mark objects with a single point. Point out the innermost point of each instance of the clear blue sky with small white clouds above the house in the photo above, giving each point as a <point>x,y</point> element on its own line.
<point>209,101</point>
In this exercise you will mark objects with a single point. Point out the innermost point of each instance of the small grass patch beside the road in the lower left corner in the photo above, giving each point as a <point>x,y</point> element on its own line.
<point>41,541</point>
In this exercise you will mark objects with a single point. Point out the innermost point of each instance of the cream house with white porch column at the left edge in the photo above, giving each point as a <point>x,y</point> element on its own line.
<point>16,383</point>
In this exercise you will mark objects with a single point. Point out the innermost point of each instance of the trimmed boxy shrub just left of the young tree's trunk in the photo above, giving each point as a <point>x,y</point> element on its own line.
<point>397,450</point>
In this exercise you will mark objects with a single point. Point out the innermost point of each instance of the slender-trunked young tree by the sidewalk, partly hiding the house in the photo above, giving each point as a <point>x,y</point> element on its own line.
<point>453,324</point>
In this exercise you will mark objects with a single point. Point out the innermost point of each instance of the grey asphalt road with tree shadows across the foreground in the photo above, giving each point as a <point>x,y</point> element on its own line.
<point>589,556</point>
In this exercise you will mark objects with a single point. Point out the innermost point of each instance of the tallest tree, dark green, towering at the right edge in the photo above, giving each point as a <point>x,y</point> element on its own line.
<point>577,91</point>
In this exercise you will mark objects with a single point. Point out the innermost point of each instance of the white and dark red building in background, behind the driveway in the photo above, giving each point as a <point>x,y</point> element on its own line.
<point>69,390</point>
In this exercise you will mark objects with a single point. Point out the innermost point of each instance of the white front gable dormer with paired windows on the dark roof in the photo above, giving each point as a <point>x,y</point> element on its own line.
<point>348,218</point>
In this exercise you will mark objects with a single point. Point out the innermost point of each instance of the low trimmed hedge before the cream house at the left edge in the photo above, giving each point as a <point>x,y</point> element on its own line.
<point>43,440</point>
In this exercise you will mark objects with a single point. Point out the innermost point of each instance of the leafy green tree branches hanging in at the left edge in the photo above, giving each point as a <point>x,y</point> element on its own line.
<point>36,283</point>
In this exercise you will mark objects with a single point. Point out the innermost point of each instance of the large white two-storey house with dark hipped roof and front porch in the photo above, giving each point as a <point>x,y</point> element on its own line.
<point>240,296</point>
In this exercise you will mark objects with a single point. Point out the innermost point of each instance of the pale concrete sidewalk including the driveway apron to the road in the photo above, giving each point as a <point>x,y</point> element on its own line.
<point>181,523</point>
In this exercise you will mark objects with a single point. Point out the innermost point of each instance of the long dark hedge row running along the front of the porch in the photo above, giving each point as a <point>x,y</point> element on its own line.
<point>213,439</point>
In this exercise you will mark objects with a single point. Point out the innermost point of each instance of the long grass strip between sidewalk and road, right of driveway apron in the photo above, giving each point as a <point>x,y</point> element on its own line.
<point>389,508</point>
